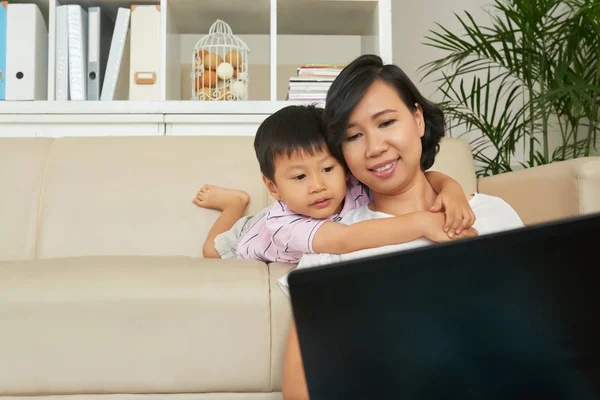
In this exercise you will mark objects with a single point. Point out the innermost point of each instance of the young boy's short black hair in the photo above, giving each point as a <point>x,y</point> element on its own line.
<point>290,129</point>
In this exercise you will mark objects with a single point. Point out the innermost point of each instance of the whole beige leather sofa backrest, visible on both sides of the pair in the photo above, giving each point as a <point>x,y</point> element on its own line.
<point>133,195</point>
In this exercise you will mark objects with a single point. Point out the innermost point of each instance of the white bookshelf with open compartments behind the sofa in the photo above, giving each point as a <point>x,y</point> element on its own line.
<point>281,35</point>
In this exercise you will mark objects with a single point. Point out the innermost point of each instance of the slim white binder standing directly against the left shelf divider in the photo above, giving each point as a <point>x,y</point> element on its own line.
<point>62,55</point>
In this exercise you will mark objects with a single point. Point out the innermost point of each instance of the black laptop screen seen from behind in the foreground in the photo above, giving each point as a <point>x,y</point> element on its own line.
<point>510,315</point>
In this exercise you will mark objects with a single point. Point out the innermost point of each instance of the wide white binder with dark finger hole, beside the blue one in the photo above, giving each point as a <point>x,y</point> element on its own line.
<point>26,53</point>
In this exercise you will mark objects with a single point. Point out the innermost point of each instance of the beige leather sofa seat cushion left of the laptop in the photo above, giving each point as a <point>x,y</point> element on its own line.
<point>134,325</point>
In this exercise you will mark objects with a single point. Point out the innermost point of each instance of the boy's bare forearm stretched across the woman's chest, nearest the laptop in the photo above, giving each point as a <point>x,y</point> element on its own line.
<point>337,238</point>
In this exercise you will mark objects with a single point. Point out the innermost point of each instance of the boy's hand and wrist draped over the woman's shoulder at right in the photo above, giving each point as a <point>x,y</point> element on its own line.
<point>452,200</point>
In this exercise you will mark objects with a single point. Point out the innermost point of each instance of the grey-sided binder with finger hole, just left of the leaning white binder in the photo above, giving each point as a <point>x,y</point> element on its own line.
<point>100,31</point>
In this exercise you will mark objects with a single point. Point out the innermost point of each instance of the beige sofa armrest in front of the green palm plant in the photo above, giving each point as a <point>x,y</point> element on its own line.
<point>549,192</point>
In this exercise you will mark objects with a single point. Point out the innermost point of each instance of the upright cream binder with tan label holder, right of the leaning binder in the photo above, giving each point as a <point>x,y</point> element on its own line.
<point>145,53</point>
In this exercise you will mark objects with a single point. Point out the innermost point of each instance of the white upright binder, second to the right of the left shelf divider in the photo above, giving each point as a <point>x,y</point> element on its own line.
<point>77,25</point>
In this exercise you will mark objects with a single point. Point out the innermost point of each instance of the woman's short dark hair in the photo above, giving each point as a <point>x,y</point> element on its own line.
<point>349,88</point>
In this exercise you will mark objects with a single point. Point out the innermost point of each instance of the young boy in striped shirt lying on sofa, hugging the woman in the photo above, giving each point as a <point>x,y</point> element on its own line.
<point>312,192</point>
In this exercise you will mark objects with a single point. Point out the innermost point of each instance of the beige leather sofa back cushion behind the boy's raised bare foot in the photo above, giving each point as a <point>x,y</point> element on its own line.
<point>133,195</point>
